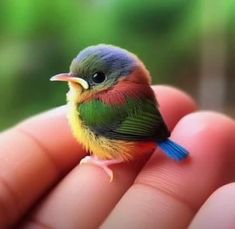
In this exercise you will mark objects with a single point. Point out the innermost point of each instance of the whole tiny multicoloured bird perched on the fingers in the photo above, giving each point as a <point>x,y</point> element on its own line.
<point>113,112</point>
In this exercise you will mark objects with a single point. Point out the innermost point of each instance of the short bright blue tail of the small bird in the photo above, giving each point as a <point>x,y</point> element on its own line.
<point>173,150</point>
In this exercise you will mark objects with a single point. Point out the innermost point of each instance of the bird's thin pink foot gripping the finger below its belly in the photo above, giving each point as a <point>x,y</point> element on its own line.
<point>102,164</point>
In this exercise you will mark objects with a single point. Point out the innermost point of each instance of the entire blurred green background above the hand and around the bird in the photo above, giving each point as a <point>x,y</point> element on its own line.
<point>186,43</point>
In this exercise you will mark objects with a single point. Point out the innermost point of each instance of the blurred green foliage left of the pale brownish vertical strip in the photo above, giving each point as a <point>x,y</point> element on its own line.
<point>39,38</point>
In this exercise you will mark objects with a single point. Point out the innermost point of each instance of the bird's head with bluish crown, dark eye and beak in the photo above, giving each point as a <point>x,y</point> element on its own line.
<point>99,68</point>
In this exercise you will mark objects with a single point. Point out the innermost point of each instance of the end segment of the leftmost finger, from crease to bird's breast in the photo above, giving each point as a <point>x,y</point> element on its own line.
<point>51,130</point>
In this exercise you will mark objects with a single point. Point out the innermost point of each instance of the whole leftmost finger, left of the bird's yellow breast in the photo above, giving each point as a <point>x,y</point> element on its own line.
<point>33,156</point>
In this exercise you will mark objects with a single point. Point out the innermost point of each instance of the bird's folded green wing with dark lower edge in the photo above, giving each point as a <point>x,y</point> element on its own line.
<point>134,120</point>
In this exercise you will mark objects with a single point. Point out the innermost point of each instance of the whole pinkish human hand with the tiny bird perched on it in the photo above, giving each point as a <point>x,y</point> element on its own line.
<point>43,185</point>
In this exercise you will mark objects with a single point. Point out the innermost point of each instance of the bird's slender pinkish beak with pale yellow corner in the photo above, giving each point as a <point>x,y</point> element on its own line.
<point>70,78</point>
